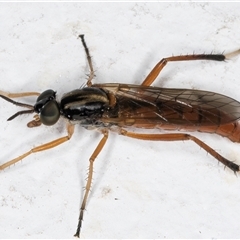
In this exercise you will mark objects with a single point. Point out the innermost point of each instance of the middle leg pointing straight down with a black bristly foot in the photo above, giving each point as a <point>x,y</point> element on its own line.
<point>89,179</point>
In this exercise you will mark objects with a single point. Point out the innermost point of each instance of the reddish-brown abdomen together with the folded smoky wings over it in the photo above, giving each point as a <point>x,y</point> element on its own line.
<point>172,109</point>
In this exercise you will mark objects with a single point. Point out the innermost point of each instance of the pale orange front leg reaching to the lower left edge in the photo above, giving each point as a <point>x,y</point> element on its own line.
<point>52,144</point>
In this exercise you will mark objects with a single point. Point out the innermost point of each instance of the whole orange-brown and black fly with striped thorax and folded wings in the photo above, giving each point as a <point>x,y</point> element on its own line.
<point>115,107</point>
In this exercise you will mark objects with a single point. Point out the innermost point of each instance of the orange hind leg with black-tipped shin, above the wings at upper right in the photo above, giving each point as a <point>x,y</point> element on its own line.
<point>160,65</point>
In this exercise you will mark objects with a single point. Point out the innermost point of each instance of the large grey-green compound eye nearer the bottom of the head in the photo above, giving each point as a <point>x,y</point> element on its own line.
<point>50,113</point>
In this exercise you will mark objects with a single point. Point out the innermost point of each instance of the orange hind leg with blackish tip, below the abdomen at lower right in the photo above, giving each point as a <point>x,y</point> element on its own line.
<point>180,137</point>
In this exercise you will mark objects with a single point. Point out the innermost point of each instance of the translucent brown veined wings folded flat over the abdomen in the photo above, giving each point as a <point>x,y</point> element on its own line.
<point>181,107</point>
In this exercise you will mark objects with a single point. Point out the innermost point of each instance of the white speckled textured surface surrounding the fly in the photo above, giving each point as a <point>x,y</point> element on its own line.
<point>163,190</point>
